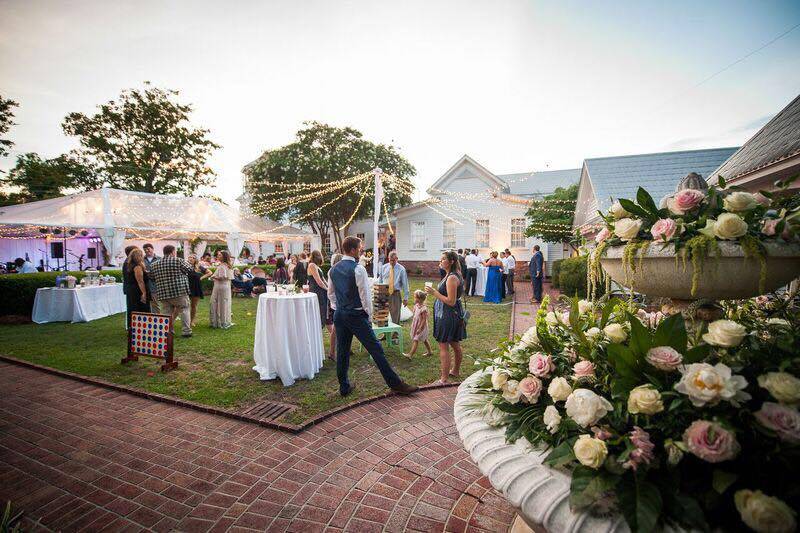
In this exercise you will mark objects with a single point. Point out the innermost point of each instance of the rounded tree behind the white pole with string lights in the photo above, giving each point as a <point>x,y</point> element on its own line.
<point>312,169</point>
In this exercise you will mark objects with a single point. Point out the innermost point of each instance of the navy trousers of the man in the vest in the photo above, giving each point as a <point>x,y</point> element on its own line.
<point>356,324</point>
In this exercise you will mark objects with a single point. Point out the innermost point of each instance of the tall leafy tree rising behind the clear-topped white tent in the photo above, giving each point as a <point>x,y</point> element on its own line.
<point>142,142</point>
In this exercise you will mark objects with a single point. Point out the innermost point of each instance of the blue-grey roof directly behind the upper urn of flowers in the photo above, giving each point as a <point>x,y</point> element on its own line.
<point>659,173</point>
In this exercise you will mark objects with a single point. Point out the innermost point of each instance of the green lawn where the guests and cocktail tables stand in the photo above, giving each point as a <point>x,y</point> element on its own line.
<point>215,366</point>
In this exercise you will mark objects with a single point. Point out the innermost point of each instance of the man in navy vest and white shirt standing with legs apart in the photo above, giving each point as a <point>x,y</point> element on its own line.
<point>351,299</point>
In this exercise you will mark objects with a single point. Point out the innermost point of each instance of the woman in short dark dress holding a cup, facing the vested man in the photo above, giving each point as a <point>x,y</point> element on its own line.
<point>449,327</point>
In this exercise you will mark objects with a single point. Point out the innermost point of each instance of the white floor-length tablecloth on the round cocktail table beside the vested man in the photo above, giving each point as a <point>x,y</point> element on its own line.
<point>288,341</point>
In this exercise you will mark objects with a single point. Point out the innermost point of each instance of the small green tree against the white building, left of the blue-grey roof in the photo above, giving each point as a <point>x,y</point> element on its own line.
<point>550,218</point>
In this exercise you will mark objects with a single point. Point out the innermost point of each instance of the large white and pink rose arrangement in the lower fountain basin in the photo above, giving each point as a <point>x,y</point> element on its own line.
<point>696,427</point>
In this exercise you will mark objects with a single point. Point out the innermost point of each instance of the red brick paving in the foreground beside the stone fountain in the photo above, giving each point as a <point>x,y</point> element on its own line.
<point>80,457</point>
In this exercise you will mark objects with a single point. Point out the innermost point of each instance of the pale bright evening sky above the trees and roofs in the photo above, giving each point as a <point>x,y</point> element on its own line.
<point>518,85</point>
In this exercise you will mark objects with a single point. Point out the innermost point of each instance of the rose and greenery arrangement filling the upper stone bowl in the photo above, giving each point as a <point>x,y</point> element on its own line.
<point>693,221</point>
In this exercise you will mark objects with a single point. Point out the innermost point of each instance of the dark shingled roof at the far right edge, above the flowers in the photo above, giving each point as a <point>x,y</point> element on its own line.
<point>778,140</point>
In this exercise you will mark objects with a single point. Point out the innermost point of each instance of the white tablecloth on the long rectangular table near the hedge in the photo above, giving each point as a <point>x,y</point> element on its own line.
<point>78,305</point>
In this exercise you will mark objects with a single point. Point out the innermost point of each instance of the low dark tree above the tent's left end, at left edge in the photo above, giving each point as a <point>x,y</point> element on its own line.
<point>39,179</point>
